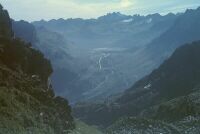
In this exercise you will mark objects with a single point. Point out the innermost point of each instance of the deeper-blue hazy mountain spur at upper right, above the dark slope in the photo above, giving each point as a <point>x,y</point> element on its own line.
<point>185,30</point>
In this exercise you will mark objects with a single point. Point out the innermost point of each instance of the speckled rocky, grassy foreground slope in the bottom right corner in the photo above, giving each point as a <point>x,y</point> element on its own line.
<point>177,116</point>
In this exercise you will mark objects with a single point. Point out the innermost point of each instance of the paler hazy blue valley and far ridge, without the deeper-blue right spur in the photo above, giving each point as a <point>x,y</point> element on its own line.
<point>100,50</point>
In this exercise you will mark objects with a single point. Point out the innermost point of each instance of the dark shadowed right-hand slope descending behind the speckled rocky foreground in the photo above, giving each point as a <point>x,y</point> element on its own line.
<point>177,76</point>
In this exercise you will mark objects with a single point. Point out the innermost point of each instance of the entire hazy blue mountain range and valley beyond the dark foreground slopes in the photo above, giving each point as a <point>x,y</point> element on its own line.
<point>99,57</point>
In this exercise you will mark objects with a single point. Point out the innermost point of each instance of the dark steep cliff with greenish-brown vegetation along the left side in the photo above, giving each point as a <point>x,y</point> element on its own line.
<point>27,101</point>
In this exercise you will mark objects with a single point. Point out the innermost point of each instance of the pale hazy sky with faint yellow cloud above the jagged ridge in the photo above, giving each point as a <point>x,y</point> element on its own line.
<point>48,9</point>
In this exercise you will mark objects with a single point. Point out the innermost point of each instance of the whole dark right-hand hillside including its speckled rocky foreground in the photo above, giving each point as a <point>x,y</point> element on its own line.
<point>169,94</point>
